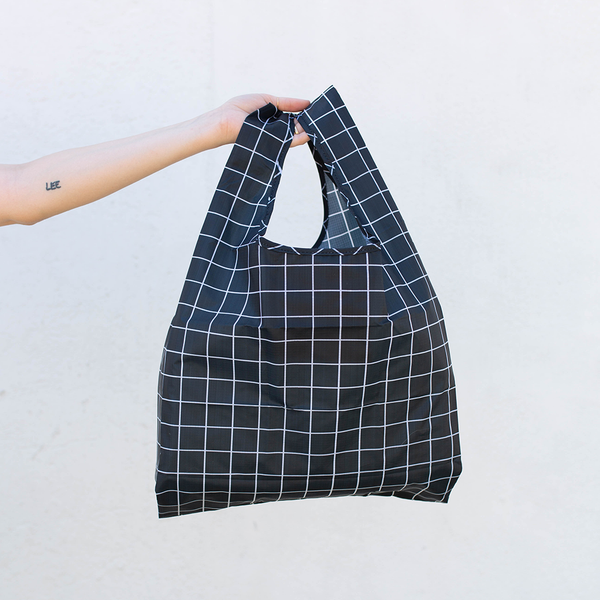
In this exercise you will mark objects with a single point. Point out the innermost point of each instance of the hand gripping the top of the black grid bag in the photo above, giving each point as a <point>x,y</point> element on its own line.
<point>234,112</point>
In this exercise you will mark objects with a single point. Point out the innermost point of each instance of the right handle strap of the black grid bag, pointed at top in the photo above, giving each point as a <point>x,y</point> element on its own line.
<point>345,159</point>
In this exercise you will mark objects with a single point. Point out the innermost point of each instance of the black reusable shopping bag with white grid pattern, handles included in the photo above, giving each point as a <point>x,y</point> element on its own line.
<point>293,373</point>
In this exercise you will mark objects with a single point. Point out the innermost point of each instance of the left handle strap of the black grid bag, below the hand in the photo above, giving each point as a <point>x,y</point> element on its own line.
<point>242,203</point>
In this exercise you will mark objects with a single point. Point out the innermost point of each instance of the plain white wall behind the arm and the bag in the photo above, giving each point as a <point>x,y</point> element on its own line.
<point>483,118</point>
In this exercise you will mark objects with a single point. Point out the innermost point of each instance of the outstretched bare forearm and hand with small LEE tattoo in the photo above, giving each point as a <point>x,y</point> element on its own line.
<point>42,188</point>
